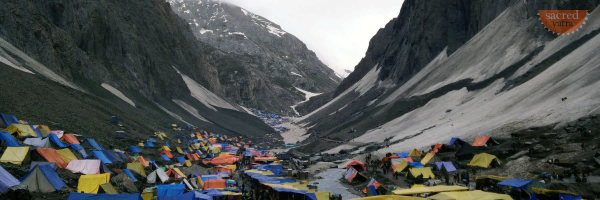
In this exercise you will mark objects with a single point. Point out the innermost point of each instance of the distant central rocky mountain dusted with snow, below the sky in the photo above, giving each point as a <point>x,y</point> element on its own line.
<point>273,62</point>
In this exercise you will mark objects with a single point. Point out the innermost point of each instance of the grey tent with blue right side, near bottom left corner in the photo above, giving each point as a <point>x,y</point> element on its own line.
<point>42,178</point>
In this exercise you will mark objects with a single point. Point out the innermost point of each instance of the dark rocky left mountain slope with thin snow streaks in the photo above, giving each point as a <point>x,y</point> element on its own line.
<point>103,50</point>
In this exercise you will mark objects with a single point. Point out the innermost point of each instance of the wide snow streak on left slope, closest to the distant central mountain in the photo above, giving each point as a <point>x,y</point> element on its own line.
<point>203,95</point>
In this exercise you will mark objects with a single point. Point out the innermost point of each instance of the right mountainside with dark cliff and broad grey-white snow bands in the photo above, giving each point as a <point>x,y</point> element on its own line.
<point>447,69</point>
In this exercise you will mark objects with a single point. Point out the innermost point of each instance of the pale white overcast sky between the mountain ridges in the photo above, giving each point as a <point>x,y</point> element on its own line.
<point>337,30</point>
